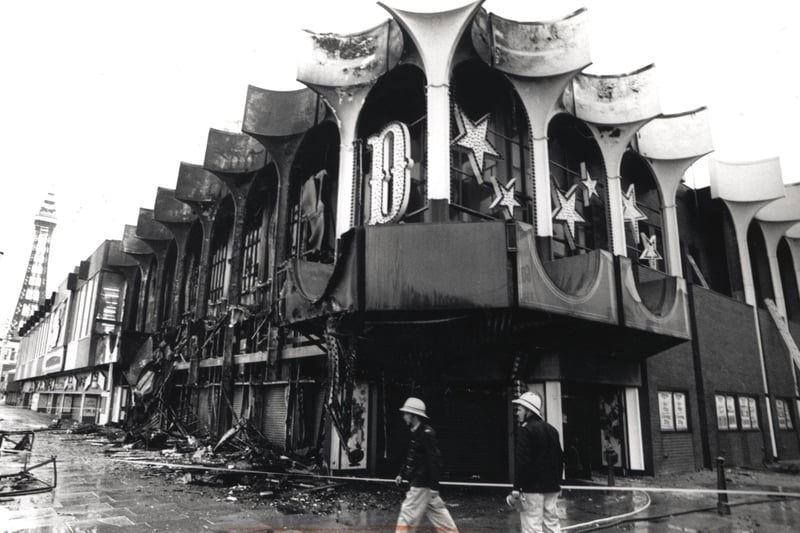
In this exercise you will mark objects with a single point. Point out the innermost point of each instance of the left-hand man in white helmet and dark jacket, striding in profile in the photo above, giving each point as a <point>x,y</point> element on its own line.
<point>421,468</point>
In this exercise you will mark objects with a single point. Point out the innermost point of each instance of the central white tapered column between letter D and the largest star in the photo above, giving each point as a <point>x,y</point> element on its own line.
<point>436,35</point>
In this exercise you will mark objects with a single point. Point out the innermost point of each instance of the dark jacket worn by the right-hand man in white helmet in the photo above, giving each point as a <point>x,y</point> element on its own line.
<point>538,458</point>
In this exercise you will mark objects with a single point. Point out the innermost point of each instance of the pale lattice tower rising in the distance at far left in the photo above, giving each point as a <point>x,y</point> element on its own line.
<point>33,291</point>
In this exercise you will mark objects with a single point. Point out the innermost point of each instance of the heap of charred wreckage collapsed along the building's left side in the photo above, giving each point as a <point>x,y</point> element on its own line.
<point>163,408</point>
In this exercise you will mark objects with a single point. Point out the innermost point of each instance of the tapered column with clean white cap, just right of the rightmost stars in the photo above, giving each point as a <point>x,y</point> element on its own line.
<point>671,144</point>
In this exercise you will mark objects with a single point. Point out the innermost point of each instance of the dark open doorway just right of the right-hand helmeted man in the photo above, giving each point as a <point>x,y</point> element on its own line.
<point>593,424</point>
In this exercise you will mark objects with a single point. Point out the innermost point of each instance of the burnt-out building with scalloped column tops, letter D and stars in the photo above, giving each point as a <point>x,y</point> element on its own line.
<point>454,209</point>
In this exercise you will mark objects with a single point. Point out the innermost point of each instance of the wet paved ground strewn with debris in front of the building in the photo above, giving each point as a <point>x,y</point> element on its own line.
<point>95,493</point>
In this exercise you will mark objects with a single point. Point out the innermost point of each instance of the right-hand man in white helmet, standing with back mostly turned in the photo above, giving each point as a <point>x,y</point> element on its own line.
<point>538,463</point>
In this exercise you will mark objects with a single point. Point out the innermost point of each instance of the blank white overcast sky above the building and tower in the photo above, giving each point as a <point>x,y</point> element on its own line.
<point>100,100</point>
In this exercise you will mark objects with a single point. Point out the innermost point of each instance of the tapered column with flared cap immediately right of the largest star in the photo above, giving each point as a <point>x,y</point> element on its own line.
<point>540,59</point>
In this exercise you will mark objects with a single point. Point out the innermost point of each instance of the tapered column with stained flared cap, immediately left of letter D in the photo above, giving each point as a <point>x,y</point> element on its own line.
<point>343,69</point>
